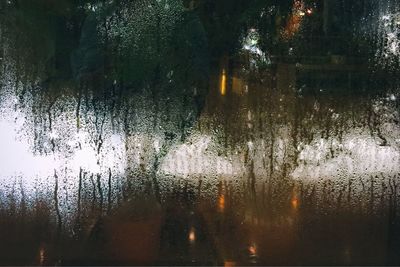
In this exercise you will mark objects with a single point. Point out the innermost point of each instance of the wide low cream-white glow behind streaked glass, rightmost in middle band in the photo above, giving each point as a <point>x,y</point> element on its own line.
<point>361,155</point>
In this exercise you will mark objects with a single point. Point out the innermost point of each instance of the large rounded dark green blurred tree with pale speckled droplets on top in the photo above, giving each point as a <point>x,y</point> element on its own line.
<point>141,43</point>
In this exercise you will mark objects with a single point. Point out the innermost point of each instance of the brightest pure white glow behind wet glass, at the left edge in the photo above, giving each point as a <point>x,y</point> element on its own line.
<point>18,162</point>
